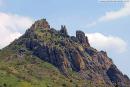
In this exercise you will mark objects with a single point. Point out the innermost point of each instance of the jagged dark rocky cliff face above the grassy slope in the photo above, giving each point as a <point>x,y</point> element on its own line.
<point>70,53</point>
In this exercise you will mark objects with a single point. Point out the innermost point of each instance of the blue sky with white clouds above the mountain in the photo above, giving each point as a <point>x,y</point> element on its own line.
<point>107,24</point>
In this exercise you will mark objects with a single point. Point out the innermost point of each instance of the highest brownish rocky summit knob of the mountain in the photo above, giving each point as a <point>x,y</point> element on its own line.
<point>40,24</point>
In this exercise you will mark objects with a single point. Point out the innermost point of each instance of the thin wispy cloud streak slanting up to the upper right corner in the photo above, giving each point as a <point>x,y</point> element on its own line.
<point>113,15</point>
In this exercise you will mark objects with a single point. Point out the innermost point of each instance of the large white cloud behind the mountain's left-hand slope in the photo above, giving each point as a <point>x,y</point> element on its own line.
<point>11,27</point>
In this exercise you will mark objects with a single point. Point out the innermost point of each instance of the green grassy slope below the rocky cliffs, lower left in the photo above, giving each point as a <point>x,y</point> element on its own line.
<point>30,71</point>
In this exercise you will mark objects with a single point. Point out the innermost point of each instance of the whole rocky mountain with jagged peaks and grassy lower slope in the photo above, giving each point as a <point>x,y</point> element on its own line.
<point>45,57</point>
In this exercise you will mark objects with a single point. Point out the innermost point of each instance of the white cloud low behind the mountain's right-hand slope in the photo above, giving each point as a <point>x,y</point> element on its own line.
<point>107,43</point>
